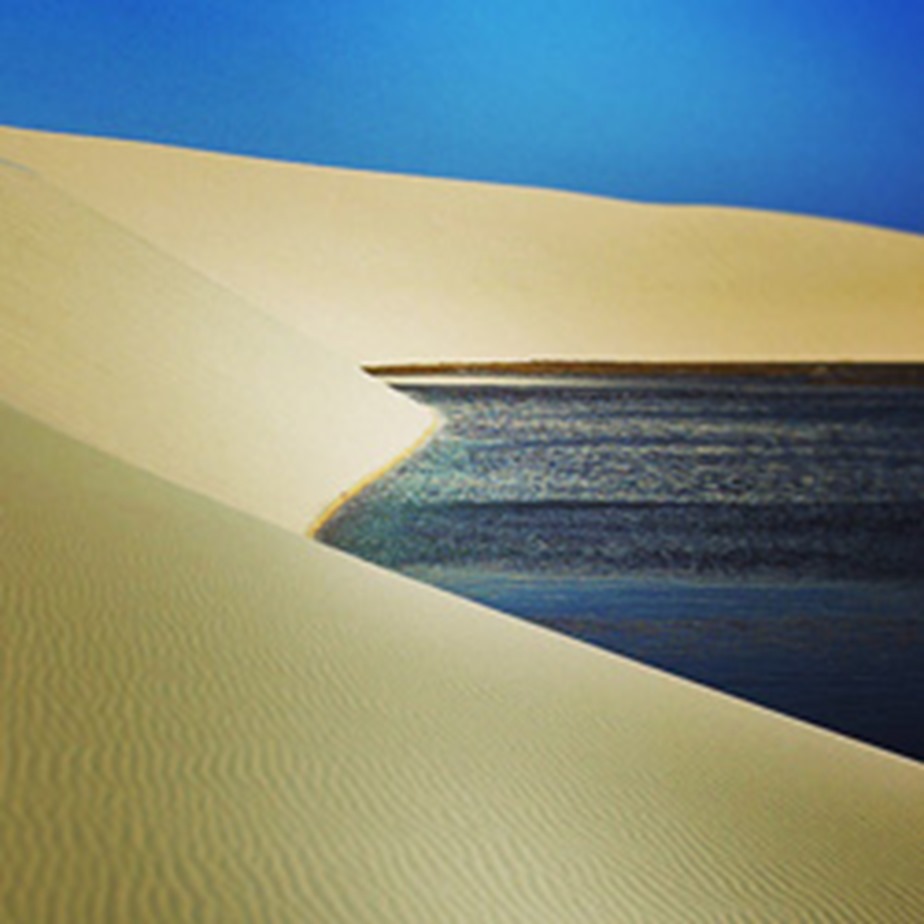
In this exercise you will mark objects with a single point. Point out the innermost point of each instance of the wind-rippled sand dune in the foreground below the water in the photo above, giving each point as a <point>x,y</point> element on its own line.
<point>209,719</point>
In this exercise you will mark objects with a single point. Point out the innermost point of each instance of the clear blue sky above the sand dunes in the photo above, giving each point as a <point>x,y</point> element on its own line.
<point>811,106</point>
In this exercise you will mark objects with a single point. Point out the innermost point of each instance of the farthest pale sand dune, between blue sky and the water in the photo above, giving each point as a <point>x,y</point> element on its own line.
<point>396,268</point>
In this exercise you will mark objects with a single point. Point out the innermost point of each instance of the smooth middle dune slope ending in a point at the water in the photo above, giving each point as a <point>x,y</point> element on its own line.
<point>112,341</point>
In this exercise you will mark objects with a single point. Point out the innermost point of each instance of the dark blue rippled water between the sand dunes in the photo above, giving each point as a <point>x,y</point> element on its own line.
<point>763,537</point>
